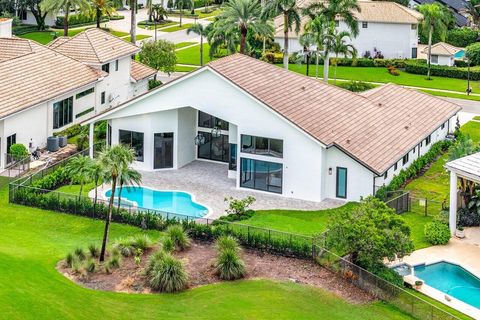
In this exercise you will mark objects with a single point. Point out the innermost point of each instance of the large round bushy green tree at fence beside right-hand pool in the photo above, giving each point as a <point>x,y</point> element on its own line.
<point>369,233</point>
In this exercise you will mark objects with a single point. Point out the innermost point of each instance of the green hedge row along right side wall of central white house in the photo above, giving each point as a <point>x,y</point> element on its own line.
<point>414,169</point>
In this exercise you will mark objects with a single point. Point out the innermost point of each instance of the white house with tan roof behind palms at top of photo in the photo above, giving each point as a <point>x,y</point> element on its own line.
<point>387,27</point>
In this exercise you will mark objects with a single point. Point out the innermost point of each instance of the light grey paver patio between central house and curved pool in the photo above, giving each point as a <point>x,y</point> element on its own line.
<point>208,182</point>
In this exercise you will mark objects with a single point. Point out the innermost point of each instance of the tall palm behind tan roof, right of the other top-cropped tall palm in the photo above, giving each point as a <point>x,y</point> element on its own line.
<point>331,11</point>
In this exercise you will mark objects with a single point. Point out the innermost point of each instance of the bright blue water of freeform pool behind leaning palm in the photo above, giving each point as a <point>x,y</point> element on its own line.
<point>168,201</point>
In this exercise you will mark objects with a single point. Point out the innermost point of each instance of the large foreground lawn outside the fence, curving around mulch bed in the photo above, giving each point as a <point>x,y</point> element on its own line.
<point>32,241</point>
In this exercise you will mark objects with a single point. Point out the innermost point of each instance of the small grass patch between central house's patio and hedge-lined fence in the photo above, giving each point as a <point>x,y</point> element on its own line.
<point>295,221</point>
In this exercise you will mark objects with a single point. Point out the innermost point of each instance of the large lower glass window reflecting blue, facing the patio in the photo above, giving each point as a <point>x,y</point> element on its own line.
<point>261,175</point>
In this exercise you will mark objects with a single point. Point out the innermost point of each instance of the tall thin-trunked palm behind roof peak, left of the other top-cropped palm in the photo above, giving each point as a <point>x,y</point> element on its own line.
<point>291,17</point>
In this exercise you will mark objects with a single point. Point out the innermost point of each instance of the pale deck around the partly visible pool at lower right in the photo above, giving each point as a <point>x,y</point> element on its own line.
<point>463,252</point>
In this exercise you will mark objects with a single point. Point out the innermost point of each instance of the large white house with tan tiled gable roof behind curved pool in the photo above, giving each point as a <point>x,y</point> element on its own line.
<point>279,131</point>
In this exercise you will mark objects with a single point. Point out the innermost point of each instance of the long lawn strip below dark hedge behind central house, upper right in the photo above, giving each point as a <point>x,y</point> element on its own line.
<point>381,75</point>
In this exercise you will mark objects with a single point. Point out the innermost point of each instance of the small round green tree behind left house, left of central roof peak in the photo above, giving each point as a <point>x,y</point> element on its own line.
<point>159,55</point>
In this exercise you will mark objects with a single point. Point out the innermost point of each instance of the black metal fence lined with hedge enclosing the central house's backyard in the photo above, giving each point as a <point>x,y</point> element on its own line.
<point>260,238</point>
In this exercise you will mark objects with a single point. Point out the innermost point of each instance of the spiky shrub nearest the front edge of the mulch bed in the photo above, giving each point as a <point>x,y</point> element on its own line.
<point>168,275</point>
